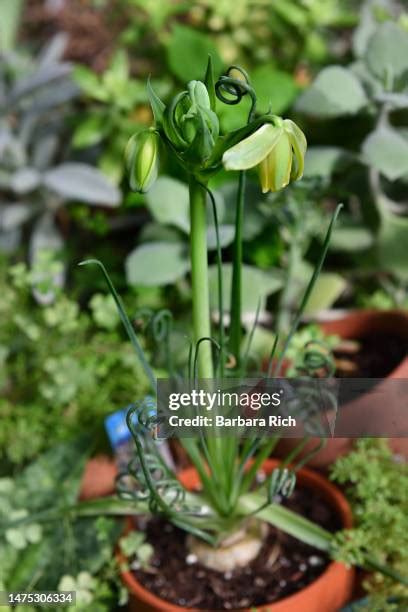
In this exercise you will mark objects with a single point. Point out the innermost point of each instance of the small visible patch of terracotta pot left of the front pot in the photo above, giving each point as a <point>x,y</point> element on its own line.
<point>98,479</point>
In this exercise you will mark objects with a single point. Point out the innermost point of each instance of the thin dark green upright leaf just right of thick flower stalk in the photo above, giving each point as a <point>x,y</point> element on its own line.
<point>236,287</point>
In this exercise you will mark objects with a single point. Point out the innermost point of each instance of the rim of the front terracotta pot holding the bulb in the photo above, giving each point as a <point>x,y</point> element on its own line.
<point>305,476</point>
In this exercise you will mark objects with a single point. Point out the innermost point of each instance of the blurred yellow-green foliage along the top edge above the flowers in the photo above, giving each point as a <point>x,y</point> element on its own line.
<point>251,32</point>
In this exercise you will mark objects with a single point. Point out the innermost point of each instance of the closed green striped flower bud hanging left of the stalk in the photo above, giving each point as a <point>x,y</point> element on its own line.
<point>141,157</point>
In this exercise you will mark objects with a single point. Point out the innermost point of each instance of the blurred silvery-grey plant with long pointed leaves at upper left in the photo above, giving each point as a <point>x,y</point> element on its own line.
<point>37,176</point>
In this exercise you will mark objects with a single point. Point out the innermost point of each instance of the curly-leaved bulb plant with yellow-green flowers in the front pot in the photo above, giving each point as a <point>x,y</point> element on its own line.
<point>189,128</point>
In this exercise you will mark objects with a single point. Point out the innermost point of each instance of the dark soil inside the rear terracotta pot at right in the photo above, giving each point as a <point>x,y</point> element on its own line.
<point>376,357</point>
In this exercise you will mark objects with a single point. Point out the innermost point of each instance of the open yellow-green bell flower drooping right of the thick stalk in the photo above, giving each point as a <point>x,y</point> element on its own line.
<point>277,149</point>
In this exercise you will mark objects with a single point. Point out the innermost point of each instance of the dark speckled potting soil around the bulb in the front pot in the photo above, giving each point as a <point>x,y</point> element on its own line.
<point>175,577</point>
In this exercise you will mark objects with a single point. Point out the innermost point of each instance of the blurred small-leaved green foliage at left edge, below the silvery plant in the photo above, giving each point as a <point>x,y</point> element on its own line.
<point>61,370</point>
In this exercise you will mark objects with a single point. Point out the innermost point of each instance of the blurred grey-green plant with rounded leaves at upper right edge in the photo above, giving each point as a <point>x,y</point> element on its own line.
<point>370,98</point>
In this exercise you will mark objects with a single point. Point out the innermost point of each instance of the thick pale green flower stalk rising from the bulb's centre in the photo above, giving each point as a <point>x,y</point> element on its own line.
<point>199,277</point>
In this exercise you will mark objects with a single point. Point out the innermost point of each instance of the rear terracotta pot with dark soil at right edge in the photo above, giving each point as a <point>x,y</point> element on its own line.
<point>372,344</point>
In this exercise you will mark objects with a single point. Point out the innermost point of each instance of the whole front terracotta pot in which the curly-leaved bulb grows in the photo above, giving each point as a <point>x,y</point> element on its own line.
<point>328,593</point>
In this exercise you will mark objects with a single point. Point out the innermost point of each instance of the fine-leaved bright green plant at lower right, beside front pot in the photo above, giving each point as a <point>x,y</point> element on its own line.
<point>377,485</point>
